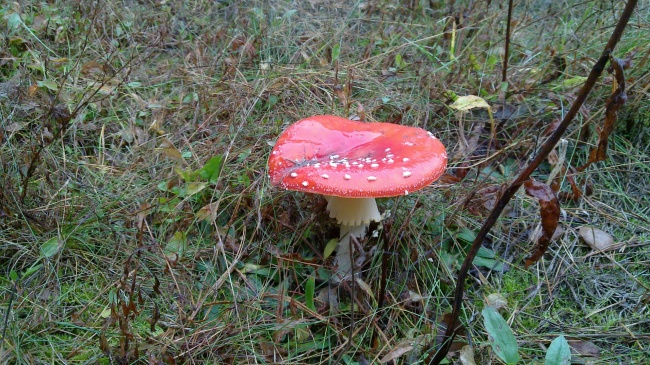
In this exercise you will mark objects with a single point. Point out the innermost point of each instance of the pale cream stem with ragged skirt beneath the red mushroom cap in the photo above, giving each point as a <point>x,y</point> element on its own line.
<point>354,215</point>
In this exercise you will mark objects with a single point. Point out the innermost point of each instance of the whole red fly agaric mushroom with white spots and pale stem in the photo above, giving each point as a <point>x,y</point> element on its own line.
<point>352,163</point>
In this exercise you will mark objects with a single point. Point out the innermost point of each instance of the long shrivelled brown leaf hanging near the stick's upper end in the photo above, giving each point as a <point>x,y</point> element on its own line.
<point>614,102</point>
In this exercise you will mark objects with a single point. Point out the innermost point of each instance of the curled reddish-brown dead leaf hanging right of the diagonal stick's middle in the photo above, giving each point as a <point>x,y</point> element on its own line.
<point>549,208</point>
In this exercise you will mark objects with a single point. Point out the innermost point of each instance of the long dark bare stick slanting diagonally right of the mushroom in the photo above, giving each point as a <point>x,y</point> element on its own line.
<point>510,191</point>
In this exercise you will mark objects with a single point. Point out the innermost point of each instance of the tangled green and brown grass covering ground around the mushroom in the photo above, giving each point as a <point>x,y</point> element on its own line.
<point>137,223</point>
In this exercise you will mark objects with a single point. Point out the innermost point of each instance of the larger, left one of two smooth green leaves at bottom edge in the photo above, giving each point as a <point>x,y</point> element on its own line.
<point>501,337</point>
